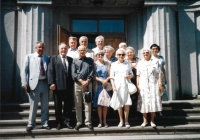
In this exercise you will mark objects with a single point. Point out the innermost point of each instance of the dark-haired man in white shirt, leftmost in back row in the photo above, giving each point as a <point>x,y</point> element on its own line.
<point>72,44</point>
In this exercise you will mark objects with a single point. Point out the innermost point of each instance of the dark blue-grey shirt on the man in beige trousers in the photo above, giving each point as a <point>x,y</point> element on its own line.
<point>83,68</point>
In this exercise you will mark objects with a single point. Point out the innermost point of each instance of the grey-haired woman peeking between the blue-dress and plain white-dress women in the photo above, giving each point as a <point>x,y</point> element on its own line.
<point>109,50</point>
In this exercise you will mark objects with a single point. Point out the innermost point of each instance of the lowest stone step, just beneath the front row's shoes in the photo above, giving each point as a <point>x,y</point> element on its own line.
<point>20,133</point>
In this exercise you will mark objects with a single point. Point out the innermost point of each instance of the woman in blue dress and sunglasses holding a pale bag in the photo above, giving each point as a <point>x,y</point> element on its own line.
<point>102,77</point>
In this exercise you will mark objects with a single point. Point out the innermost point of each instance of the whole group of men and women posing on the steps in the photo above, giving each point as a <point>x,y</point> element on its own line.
<point>77,70</point>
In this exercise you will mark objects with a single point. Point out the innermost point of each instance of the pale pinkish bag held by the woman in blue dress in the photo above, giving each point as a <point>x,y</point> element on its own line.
<point>104,98</point>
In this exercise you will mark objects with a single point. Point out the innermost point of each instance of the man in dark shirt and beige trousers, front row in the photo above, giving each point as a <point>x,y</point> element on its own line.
<point>82,72</point>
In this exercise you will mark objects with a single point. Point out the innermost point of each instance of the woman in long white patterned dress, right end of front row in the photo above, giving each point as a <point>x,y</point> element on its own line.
<point>149,84</point>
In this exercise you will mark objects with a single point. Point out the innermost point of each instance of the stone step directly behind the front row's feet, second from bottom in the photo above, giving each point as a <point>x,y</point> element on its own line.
<point>167,120</point>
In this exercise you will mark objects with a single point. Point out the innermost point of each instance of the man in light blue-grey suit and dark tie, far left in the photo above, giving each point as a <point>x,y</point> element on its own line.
<point>34,82</point>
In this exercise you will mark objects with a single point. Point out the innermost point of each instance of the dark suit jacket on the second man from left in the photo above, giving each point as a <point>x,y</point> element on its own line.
<point>57,75</point>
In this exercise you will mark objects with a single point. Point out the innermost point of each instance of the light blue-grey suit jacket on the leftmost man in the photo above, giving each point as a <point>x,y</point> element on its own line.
<point>31,70</point>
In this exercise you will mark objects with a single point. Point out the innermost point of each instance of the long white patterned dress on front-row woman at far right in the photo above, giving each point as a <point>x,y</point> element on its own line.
<point>149,97</point>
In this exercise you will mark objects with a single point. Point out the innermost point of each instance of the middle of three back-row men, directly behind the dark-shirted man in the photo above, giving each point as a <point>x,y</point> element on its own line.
<point>83,41</point>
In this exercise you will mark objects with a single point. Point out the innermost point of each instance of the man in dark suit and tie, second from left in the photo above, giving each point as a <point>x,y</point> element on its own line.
<point>61,82</point>
